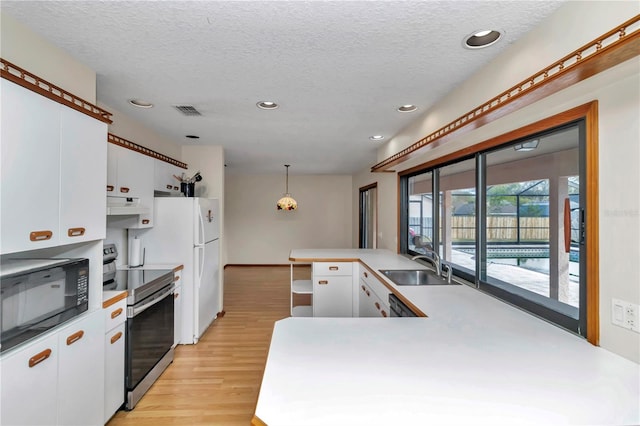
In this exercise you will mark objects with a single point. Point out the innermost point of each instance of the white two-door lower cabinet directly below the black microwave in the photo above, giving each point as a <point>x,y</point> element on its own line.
<point>58,378</point>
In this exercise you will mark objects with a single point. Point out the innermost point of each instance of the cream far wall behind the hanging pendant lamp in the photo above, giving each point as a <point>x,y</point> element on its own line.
<point>259,234</point>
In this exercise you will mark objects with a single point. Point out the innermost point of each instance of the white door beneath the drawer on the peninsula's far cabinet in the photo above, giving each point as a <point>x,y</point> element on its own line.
<point>332,296</point>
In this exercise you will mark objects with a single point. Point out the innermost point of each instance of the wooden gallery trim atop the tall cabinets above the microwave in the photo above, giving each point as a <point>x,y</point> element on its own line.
<point>42,87</point>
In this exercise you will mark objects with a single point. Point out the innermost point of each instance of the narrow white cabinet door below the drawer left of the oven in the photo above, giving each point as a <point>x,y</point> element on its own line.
<point>114,371</point>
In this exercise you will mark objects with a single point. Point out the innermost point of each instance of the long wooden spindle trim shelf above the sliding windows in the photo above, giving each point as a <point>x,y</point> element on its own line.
<point>608,50</point>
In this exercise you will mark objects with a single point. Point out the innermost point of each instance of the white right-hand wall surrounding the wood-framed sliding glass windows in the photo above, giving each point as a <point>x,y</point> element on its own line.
<point>618,93</point>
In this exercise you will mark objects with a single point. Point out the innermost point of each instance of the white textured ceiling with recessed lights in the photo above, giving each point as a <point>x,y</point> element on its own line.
<point>338,69</point>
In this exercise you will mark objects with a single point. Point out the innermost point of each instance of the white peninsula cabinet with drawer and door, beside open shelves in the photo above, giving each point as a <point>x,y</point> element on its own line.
<point>332,289</point>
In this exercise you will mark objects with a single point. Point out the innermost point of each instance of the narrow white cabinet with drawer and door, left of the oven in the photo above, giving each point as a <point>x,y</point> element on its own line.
<point>115,323</point>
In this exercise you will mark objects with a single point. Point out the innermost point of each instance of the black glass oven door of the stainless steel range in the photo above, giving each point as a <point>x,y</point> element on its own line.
<point>149,334</point>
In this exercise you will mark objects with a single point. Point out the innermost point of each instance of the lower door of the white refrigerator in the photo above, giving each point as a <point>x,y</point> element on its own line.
<point>208,285</point>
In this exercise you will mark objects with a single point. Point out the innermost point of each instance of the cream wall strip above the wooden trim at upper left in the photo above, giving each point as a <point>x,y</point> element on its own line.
<point>26,49</point>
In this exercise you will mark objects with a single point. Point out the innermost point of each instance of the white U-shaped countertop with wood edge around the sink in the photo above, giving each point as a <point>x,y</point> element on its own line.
<point>474,360</point>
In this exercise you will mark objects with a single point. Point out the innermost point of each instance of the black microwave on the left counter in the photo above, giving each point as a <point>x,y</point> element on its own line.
<point>38,295</point>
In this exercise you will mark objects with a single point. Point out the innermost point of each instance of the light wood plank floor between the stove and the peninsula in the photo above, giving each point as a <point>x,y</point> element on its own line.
<point>216,382</point>
